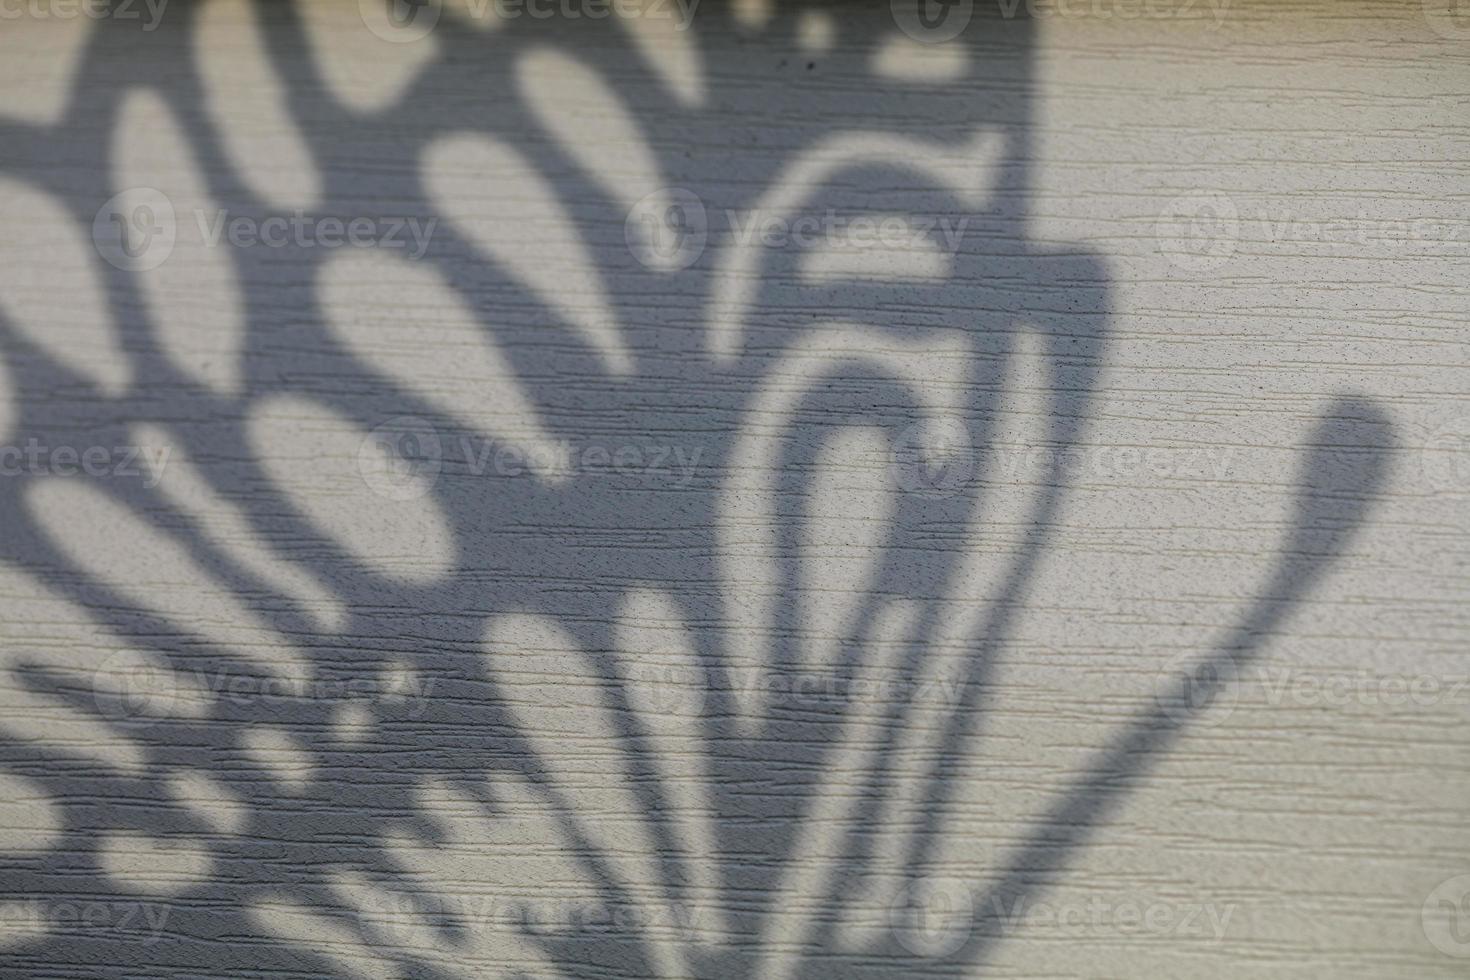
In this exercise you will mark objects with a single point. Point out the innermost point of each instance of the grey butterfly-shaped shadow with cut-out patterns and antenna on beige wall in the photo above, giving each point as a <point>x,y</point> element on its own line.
<point>545,469</point>
